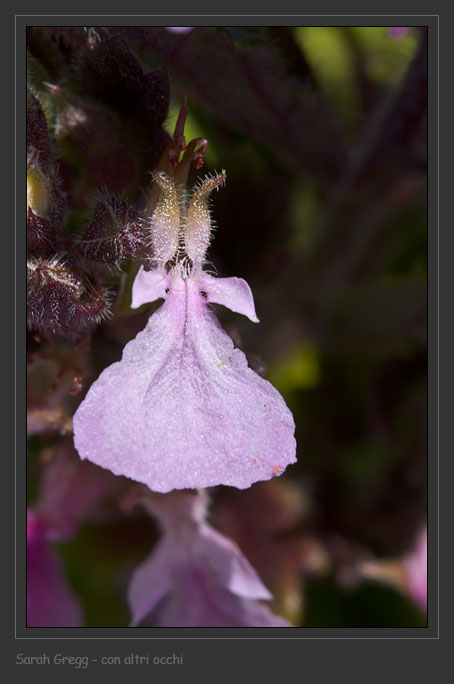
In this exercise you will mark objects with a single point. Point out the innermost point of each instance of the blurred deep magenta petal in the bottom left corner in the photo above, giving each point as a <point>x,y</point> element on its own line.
<point>50,601</point>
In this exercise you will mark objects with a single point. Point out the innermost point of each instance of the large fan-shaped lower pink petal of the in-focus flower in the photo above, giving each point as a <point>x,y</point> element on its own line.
<point>182,409</point>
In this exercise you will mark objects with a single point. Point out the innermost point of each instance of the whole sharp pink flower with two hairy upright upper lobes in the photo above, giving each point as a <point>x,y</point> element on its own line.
<point>182,409</point>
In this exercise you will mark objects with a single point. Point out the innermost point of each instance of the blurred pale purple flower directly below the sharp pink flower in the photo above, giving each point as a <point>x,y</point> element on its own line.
<point>196,577</point>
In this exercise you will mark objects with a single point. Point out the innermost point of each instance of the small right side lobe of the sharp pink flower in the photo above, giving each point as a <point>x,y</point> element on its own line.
<point>234,293</point>
